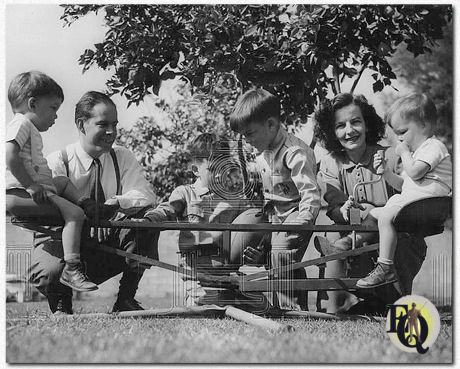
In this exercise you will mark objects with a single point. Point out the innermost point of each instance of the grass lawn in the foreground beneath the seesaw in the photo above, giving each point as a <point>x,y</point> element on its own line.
<point>42,339</point>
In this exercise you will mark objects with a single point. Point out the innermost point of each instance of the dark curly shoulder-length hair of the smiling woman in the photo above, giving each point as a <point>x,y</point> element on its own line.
<point>324,118</point>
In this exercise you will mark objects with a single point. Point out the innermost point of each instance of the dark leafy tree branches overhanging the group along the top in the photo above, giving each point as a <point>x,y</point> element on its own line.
<point>296,51</point>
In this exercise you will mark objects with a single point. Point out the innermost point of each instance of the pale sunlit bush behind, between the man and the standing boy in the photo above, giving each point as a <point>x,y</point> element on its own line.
<point>160,142</point>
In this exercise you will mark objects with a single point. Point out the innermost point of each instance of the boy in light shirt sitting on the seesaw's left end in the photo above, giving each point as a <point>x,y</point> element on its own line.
<point>35,98</point>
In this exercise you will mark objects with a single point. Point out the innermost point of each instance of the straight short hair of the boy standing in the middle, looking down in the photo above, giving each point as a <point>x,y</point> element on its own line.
<point>255,105</point>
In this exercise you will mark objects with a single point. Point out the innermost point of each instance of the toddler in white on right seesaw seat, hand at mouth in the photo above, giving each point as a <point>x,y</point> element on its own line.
<point>427,172</point>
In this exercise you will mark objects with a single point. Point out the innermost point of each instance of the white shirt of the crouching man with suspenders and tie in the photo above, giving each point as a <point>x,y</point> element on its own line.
<point>135,190</point>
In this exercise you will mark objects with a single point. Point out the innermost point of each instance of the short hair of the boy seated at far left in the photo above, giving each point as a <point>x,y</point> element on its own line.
<point>32,84</point>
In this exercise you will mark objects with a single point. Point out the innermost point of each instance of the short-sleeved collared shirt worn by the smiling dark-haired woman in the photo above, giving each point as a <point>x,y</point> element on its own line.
<point>339,175</point>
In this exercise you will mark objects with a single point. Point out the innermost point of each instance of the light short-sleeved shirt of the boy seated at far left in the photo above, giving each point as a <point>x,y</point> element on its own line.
<point>26,135</point>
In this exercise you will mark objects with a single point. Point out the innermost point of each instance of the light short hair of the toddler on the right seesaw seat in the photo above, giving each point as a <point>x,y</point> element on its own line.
<point>416,106</point>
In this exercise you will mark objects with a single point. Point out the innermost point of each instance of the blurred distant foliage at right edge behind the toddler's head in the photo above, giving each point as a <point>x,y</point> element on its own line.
<point>432,73</point>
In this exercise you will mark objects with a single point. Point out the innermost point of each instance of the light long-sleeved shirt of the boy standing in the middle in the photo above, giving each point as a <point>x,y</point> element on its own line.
<point>288,171</point>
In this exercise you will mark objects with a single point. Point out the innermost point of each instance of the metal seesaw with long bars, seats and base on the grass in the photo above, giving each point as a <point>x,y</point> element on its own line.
<point>422,218</point>
